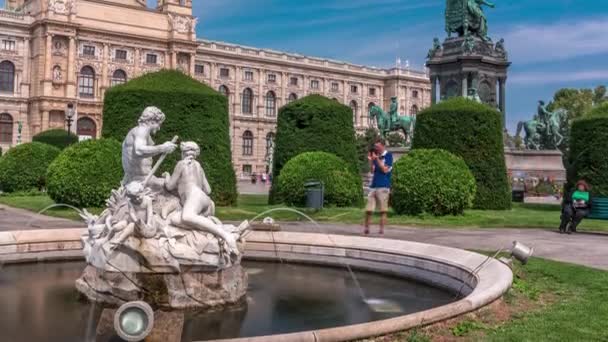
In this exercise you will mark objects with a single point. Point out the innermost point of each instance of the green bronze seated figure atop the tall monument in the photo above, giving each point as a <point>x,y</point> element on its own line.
<point>466,17</point>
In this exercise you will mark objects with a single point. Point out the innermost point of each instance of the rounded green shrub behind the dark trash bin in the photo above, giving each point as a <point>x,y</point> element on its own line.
<point>342,186</point>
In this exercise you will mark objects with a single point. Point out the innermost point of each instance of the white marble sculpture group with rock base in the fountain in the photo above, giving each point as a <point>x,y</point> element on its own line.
<point>158,239</point>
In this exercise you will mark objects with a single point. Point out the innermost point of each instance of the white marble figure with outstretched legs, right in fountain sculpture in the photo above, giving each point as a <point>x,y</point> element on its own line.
<point>191,183</point>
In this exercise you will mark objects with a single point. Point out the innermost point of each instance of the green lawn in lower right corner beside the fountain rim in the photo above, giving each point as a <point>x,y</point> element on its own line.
<point>549,301</point>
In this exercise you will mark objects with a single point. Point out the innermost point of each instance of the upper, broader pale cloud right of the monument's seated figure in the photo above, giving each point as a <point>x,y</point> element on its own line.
<point>562,40</point>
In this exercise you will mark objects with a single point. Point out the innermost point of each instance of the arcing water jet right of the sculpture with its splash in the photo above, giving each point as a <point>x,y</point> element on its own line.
<point>375,304</point>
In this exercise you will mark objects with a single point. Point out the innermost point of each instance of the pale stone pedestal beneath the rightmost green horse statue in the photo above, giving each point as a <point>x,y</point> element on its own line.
<point>536,163</point>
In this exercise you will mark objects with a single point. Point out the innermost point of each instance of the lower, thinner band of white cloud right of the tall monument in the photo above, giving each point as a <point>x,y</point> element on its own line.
<point>559,77</point>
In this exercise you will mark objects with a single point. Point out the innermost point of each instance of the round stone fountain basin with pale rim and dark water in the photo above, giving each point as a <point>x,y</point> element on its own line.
<point>405,284</point>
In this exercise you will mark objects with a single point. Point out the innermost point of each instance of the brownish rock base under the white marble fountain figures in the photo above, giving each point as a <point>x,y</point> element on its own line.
<point>190,289</point>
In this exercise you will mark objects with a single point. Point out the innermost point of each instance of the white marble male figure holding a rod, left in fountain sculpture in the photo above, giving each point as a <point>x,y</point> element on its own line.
<point>138,149</point>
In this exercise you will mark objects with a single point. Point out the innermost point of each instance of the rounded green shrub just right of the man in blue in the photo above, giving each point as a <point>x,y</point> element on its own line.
<point>432,181</point>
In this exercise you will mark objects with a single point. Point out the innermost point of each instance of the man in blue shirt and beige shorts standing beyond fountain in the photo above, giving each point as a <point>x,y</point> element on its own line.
<point>381,165</point>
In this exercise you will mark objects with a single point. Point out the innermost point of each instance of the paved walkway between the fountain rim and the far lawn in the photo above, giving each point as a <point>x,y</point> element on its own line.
<point>583,248</point>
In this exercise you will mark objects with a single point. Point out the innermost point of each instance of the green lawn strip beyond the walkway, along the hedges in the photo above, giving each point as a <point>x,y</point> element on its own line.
<point>521,216</point>
